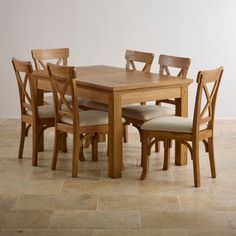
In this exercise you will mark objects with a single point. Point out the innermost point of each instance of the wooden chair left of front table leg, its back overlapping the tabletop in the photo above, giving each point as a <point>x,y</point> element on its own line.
<point>69,119</point>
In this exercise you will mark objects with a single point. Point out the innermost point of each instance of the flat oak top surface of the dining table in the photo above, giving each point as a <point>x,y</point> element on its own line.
<point>111,78</point>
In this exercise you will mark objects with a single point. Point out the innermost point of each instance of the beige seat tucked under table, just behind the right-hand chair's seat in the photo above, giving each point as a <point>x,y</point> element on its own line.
<point>146,112</point>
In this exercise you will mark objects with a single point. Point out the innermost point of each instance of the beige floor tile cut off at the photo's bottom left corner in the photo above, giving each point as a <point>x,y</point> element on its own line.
<point>47,232</point>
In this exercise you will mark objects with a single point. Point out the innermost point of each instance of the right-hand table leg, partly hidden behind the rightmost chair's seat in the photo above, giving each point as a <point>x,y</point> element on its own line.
<point>181,110</point>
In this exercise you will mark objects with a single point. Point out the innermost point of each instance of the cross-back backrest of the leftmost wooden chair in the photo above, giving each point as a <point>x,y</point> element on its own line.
<point>26,87</point>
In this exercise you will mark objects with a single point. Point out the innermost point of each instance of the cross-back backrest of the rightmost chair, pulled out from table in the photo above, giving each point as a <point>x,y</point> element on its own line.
<point>207,90</point>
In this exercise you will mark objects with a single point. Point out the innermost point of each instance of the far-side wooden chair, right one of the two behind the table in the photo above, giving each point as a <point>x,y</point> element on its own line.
<point>138,114</point>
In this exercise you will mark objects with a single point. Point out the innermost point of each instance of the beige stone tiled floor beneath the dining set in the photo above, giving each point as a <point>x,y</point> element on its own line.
<point>38,201</point>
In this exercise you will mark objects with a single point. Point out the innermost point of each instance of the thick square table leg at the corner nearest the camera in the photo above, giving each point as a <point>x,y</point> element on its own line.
<point>115,137</point>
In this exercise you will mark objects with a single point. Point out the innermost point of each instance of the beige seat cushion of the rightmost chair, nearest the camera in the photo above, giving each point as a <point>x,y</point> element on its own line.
<point>171,124</point>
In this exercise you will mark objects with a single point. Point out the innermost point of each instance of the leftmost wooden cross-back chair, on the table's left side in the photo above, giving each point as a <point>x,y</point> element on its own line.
<point>39,117</point>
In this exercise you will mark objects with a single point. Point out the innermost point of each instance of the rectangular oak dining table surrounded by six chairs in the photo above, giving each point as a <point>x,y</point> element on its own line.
<point>118,87</point>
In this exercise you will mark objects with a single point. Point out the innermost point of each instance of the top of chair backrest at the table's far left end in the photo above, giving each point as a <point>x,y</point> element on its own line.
<point>42,56</point>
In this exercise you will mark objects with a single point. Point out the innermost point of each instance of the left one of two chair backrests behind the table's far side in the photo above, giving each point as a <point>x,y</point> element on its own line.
<point>136,56</point>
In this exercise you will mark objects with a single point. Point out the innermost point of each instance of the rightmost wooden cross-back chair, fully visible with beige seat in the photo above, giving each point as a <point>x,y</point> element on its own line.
<point>185,130</point>
